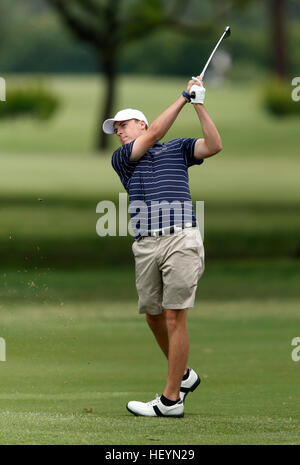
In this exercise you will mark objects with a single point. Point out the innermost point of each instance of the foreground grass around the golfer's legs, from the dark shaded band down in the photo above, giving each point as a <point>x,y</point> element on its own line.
<point>78,345</point>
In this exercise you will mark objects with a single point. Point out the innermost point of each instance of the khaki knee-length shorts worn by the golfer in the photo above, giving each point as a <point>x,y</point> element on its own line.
<point>167,270</point>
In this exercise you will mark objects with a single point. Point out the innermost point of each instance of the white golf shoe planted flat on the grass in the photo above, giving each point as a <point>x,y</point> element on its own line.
<point>155,408</point>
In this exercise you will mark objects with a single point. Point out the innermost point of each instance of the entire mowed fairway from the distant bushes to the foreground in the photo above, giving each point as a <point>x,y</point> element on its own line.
<point>76,350</point>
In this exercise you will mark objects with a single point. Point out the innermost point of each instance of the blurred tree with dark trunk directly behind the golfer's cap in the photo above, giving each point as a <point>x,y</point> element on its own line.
<point>109,25</point>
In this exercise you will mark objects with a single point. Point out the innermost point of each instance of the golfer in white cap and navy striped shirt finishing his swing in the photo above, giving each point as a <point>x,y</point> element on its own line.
<point>168,248</point>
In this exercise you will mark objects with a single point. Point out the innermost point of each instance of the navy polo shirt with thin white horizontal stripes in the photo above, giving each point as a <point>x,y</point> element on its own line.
<point>157,184</point>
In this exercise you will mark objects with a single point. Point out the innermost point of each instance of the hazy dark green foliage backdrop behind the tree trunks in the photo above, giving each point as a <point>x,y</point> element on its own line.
<point>44,44</point>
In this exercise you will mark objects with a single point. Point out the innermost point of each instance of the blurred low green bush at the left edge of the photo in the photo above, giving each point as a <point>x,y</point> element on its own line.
<point>29,100</point>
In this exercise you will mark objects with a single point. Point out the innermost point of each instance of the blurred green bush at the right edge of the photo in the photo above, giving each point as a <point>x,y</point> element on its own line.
<point>277,98</point>
